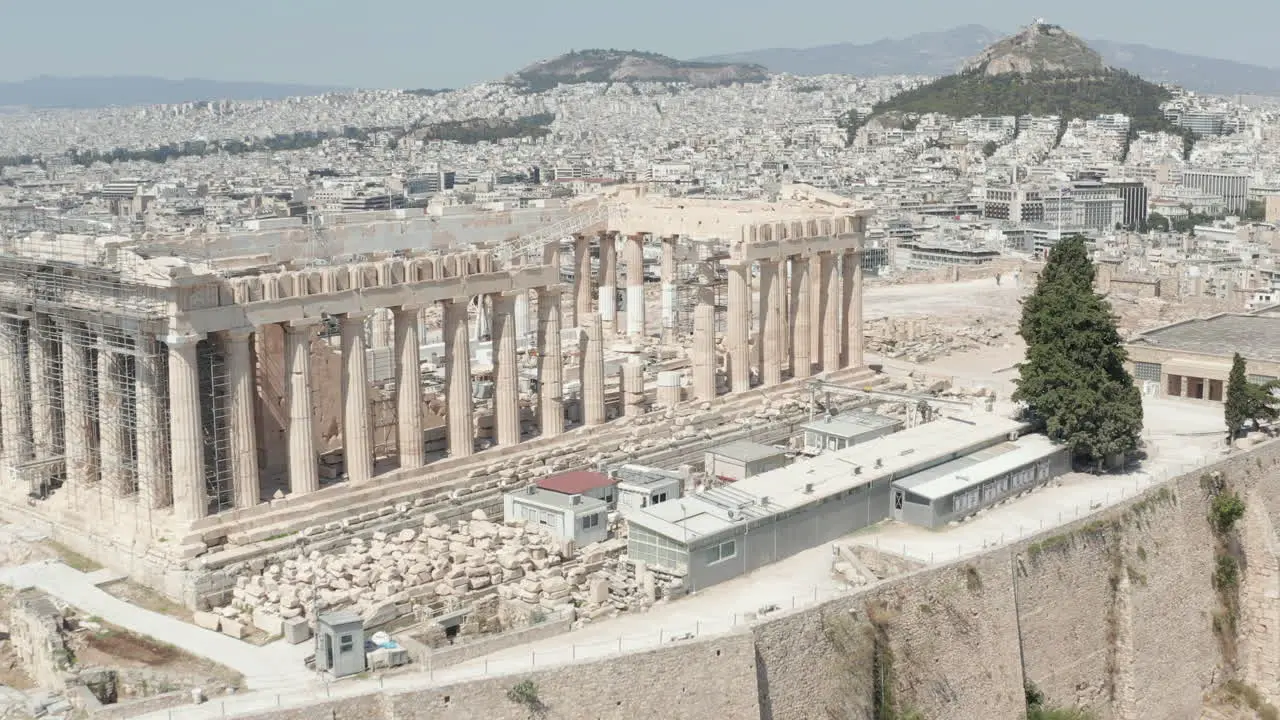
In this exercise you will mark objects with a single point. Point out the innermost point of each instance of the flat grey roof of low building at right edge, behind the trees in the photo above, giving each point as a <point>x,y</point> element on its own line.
<point>1256,338</point>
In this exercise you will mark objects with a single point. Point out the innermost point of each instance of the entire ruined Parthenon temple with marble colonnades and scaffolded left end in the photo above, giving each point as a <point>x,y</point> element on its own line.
<point>150,395</point>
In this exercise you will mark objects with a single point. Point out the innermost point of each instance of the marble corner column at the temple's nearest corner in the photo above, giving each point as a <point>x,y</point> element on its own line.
<point>186,430</point>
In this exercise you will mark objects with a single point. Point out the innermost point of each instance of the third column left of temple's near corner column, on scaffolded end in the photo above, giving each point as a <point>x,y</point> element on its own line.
<point>77,423</point>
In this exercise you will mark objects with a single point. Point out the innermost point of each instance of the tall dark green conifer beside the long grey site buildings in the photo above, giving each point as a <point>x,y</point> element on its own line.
<point>1073,382</point>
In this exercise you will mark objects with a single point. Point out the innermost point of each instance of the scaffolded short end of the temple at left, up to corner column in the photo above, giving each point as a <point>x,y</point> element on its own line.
<point>83,379</point>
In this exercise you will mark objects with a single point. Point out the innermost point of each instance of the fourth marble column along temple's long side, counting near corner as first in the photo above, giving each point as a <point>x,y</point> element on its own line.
<point>358,448</point>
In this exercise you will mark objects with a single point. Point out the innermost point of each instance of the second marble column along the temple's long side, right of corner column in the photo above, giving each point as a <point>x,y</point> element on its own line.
<point>244,397</point>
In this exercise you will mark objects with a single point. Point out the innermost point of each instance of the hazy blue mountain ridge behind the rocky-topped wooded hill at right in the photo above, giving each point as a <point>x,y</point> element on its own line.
<point>944,53</point>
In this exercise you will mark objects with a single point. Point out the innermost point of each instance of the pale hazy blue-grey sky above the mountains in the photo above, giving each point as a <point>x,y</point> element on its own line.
<point>454,43</point>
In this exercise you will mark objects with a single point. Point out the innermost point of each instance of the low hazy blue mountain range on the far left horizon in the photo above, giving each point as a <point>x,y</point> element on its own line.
<point>48,92</point>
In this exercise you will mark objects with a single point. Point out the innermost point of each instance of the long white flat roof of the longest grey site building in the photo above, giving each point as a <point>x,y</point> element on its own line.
<point>812,481</point>
